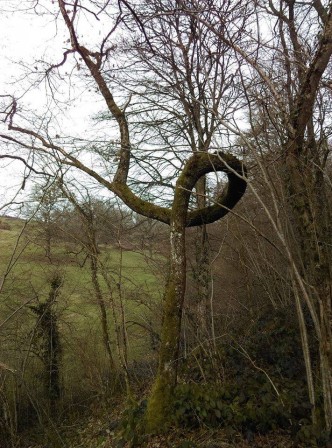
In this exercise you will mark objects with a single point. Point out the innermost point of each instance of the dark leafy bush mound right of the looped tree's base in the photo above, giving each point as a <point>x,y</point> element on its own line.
<point>264,385</point>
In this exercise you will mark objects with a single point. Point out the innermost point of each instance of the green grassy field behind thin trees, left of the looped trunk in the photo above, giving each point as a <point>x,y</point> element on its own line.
<point>28,273</point>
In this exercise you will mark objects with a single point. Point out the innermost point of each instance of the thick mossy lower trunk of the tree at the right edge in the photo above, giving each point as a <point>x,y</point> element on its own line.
<point>310,210</point>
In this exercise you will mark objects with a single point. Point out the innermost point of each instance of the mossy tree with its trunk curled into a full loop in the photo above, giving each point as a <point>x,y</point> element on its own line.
<point>178,215</point>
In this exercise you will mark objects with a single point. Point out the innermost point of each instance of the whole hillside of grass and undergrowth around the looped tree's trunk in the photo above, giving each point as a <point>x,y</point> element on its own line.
<point>51,312</point>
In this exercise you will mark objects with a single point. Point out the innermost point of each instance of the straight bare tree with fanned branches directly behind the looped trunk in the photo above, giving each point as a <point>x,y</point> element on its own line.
<point>185,79</point>
